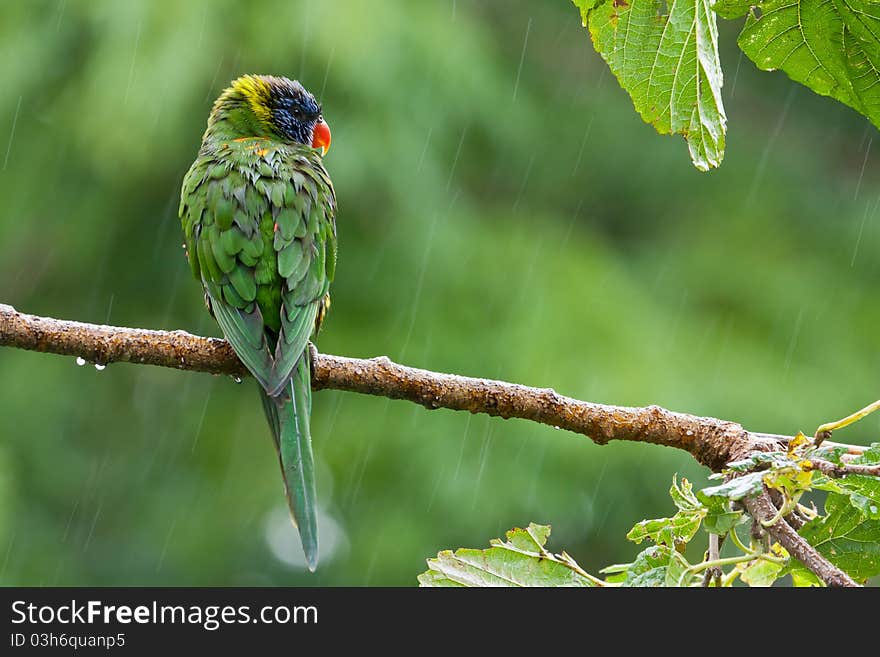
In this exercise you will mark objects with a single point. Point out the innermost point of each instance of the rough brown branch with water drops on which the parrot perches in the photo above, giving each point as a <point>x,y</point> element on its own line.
<point>712,442</point>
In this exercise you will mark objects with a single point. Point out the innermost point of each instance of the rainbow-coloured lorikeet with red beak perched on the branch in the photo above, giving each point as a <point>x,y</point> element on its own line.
<point>259,216</point>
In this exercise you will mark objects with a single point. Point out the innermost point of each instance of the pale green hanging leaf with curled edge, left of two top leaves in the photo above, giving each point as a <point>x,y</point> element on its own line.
<point>668,64</point>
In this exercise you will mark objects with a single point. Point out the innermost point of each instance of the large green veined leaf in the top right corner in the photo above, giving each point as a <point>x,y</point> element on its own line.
<point>829,46</point>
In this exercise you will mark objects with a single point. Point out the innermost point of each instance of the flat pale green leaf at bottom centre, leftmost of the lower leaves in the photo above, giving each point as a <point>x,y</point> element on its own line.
<point>522,560</point>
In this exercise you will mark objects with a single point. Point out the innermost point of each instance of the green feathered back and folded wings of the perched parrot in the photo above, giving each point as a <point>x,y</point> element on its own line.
<point>259,219</point>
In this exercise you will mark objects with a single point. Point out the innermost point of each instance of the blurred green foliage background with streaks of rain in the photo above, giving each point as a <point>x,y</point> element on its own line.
<point>503,213</point>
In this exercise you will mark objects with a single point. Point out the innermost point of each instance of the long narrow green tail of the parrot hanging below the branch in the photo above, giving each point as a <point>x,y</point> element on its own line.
<point>288,416</point>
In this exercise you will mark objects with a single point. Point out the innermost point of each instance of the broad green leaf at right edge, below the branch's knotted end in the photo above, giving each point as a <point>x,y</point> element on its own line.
<point>846,538</point>
